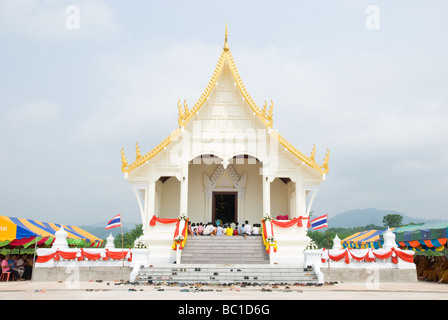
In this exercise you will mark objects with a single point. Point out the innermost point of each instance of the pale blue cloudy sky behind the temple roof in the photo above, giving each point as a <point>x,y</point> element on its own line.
<point>71,98</point>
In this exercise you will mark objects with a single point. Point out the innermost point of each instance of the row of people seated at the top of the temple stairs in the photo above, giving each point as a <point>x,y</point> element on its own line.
<point>218,228</point>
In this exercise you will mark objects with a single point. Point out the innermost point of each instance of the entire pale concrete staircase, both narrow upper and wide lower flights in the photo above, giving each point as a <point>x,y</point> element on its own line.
<point>214,260</point>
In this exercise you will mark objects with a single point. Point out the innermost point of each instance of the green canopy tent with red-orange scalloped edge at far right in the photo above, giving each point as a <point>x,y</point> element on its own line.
<point>426,237</point>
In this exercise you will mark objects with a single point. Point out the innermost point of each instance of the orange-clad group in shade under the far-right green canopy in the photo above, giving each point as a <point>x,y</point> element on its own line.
<point>432,268</point>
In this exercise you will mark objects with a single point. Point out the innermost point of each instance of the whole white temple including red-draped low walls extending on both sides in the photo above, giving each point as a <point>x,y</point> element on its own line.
<point>225,161</point>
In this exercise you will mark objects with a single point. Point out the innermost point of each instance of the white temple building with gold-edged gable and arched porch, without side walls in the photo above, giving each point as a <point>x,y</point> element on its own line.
<point>225,160</point>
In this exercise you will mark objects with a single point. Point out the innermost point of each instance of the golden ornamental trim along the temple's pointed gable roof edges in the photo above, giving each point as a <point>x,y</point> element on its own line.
<point>186,114</point>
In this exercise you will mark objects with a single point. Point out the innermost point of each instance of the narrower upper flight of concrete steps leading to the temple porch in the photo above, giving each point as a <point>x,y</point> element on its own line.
<point>224,250</point>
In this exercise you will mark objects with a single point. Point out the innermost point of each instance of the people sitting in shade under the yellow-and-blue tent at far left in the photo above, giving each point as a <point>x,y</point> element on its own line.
<point>20,266</point>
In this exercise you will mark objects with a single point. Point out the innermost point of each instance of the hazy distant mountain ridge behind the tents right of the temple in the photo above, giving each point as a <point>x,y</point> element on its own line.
<point>363,217</point>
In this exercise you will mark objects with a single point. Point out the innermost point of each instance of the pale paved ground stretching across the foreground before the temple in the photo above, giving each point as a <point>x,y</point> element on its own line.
<point>28,290</point>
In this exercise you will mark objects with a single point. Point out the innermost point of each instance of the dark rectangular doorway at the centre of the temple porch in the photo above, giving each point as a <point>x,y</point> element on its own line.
<point>225,206</point>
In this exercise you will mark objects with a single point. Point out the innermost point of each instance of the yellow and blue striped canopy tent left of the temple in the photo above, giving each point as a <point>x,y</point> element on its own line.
<point>19,232</point>
